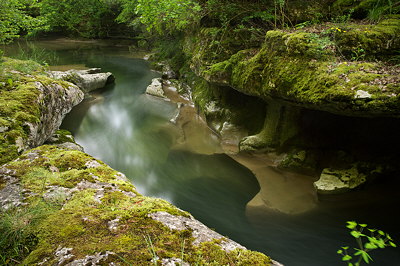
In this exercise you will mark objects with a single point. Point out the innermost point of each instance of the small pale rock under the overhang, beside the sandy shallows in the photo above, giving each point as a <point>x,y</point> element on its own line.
<point>333,181</point>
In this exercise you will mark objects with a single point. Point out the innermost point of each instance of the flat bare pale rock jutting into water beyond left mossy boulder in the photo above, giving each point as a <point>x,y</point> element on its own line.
<point>88,80</point>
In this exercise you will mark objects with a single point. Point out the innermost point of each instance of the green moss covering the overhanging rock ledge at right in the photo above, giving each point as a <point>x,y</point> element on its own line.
<point>323,85</point>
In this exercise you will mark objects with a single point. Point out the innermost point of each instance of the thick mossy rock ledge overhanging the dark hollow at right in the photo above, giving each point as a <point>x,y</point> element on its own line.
<point>303,69</point>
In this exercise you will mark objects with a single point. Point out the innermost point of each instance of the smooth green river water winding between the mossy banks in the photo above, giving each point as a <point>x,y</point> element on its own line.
<point>132,133</point>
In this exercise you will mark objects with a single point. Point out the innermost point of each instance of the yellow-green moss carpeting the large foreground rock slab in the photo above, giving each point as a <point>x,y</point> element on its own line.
<point>83,221</point>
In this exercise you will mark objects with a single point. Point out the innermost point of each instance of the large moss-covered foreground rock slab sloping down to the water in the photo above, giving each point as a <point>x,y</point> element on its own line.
<point>93,214</point>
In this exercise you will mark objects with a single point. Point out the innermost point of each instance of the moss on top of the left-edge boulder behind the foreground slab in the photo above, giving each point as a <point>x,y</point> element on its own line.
<point>19,103</point>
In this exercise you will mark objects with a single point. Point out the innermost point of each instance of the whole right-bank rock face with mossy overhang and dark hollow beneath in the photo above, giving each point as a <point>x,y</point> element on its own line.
<point>322,87</point>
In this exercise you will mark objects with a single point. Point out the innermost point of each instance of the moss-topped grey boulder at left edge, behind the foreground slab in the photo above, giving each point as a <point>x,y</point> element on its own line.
<point>32,106</point>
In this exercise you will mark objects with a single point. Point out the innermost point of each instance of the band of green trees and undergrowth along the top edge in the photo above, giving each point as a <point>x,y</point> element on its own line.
<point>104,18</point>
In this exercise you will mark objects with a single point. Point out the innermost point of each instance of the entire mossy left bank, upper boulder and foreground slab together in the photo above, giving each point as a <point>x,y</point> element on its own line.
<point>60,206</point>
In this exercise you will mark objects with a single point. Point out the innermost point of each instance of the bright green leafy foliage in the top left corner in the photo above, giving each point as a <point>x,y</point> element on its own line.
<point>14,19</point>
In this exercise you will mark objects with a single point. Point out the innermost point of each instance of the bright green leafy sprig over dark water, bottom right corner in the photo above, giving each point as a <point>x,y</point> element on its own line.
<point>373,240</point>
